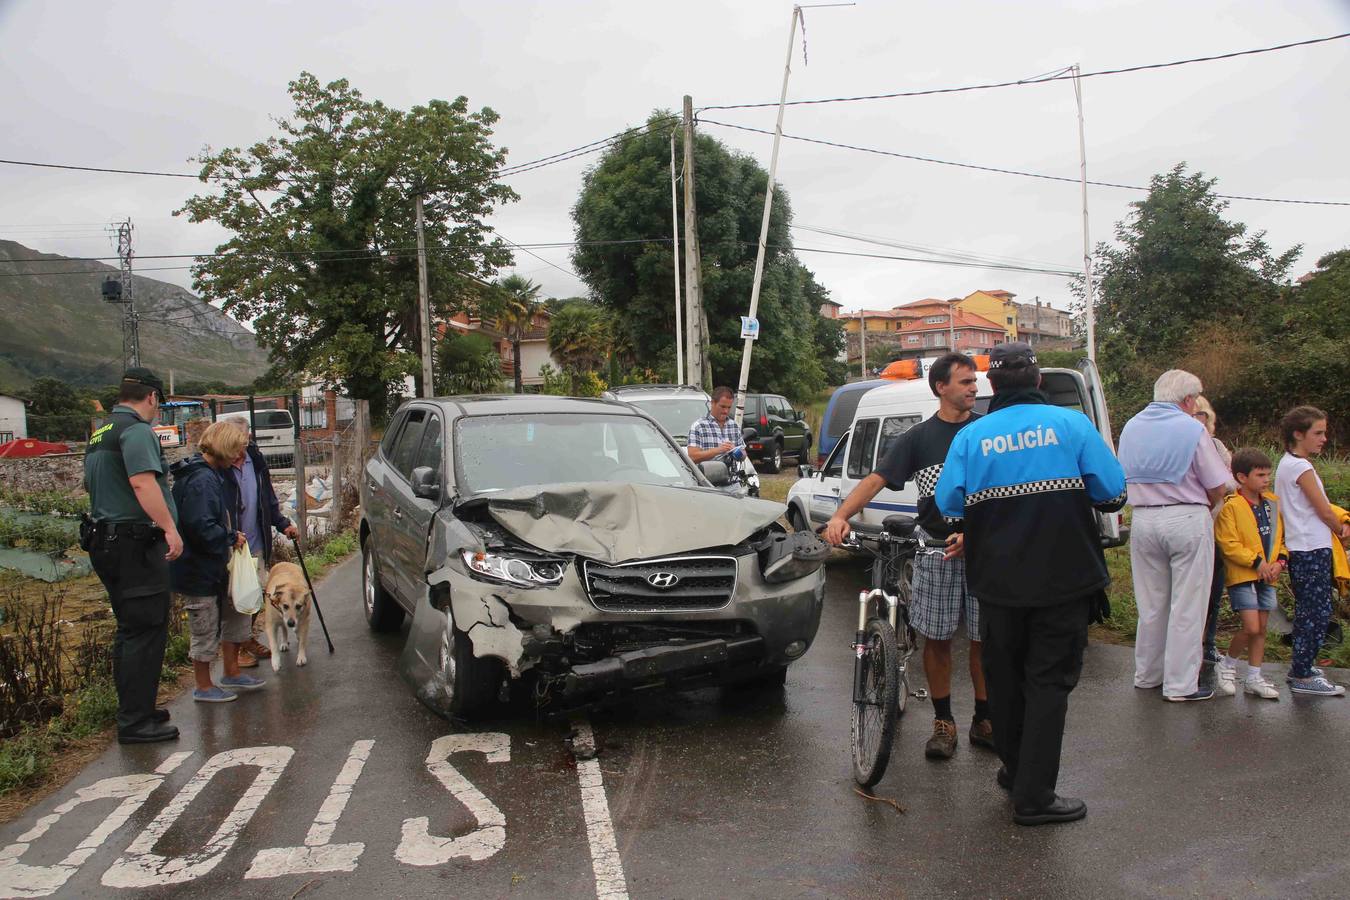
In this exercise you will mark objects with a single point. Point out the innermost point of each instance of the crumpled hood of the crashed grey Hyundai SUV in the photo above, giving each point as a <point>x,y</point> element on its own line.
<point>616,523</point>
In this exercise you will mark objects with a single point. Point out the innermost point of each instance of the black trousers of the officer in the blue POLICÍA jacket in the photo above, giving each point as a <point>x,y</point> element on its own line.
<point>1032,662</point>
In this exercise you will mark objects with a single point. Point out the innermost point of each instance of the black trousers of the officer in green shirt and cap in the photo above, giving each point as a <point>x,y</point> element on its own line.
<point>137,577</point>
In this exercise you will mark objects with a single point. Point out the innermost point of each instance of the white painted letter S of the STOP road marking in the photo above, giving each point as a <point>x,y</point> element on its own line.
<point>419,847</point>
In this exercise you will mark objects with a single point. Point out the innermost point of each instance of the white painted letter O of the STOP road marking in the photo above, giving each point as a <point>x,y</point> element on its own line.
<point>140,867</point>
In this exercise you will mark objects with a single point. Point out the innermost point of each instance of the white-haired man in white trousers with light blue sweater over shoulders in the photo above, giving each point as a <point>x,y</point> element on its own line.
<point>1174,474</point>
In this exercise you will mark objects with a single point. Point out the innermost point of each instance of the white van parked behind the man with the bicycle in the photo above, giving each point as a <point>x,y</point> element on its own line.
<point>888,412</point>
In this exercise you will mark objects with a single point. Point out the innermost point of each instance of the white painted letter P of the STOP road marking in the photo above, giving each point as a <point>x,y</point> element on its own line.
<point>18,880</point>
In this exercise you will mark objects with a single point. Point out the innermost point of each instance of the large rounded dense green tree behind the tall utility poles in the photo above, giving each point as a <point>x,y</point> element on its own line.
<point>627,198</point>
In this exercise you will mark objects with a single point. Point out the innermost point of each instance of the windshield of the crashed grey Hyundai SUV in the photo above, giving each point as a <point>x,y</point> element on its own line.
<point>502,453</point>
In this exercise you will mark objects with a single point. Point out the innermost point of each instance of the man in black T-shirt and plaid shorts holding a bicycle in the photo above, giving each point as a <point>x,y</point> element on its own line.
<point>940,597</point>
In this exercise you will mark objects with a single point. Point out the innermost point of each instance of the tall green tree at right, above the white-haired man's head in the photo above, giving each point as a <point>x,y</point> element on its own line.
<point>1183,281</point>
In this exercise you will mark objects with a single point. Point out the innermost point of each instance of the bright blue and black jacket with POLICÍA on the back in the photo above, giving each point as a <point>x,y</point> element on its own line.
<point>1024,481</point>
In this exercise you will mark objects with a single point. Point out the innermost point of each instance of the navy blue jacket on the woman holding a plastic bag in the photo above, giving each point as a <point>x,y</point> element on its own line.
<point>209,519</point>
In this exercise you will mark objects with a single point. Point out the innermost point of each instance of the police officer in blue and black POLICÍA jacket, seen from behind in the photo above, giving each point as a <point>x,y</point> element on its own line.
<point>1024,481</point>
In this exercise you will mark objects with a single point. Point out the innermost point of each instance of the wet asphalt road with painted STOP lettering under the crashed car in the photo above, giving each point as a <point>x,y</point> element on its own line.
<point>321,785</point>
